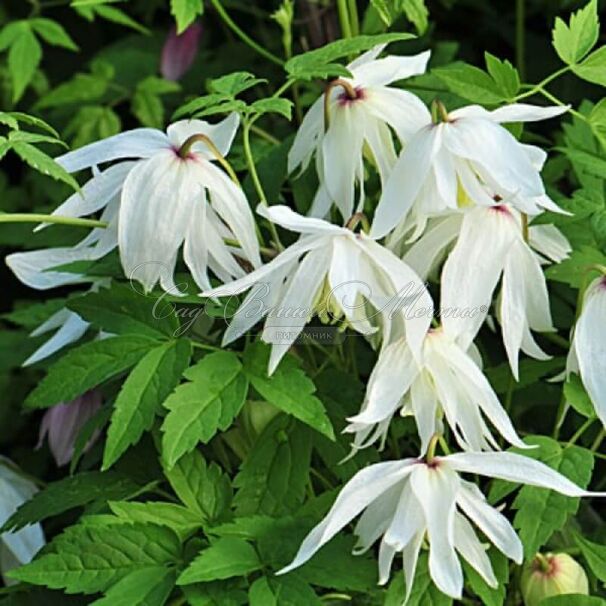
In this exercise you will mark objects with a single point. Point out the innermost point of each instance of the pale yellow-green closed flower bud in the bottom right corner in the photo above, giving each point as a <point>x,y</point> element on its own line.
<point>550,575</point>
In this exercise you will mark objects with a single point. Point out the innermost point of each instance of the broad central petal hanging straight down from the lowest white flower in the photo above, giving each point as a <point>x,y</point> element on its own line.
<point>436,489</point>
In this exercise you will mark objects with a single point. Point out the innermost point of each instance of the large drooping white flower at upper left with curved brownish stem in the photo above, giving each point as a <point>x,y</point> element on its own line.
<point>163,201</point>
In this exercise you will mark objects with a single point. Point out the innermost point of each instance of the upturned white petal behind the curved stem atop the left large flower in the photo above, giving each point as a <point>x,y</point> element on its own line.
<point>221,134</point>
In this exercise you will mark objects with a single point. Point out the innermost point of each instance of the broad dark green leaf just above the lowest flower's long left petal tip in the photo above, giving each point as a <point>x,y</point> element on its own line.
<point>273,476</point>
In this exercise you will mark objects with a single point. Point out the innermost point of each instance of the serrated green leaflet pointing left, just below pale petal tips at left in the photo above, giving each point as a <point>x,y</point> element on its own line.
<point>87,366</point>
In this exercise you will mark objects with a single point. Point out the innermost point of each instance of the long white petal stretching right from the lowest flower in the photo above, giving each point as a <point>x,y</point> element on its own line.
<point>516,468</point>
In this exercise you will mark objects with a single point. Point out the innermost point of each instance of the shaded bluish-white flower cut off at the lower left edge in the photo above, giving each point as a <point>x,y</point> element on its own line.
<point>16,547</point>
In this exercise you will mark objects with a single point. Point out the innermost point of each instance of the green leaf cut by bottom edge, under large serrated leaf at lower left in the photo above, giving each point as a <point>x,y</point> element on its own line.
<point>146,587</point>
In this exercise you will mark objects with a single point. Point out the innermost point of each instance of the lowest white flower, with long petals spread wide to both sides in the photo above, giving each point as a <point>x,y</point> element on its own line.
<point>406,501</point>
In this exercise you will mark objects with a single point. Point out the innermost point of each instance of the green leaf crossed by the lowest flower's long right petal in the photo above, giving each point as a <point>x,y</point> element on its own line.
<point>542,512</point>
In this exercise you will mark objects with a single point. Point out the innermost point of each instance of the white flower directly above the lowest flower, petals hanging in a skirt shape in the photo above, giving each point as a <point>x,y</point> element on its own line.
<point>446,382</point>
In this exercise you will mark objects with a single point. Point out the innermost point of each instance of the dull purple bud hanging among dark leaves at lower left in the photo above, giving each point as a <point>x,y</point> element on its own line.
<point>62,424</point>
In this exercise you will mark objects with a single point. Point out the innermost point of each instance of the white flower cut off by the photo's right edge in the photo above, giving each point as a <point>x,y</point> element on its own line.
<point>589,345</point>
